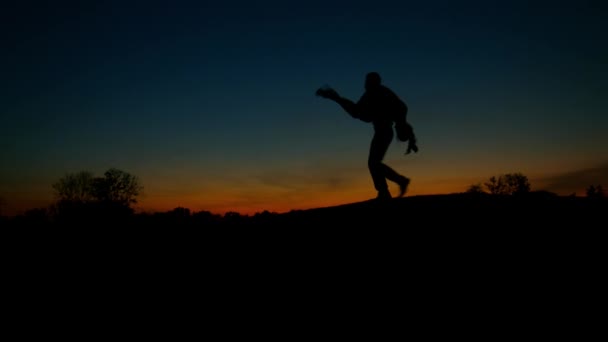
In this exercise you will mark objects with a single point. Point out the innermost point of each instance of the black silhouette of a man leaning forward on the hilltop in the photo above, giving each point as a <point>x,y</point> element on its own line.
<point>380,106</point>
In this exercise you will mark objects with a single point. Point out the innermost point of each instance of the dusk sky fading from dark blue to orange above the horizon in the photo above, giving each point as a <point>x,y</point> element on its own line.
<point>211,103</point>
